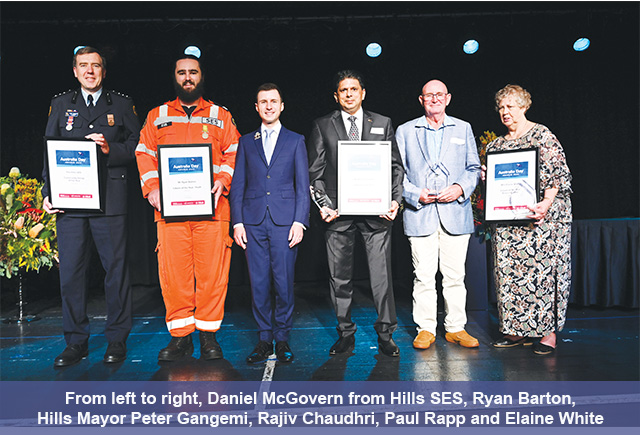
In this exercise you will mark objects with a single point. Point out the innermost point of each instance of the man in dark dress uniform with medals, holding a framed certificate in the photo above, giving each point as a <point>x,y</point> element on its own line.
<point>109,119</point>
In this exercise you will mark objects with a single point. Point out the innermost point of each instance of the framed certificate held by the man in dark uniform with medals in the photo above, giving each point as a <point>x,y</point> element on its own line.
<point>74,174</point>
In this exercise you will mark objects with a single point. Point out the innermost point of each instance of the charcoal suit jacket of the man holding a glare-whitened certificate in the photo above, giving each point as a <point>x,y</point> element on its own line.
<point>323,168</point>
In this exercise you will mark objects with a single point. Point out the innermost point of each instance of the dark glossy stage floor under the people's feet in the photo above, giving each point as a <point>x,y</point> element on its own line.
<point>596,345</point>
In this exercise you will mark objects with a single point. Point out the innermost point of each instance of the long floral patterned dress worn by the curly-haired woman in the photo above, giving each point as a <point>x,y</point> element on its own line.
<point>528,260</point>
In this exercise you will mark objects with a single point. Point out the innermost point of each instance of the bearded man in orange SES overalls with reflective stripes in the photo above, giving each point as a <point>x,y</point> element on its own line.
<point>193,254</point>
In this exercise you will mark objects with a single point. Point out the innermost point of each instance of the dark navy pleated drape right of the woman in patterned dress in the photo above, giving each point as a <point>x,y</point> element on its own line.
<point>605,263</point>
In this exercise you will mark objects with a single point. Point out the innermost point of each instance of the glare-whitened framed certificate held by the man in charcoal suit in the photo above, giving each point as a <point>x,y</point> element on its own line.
<point>364,177</point>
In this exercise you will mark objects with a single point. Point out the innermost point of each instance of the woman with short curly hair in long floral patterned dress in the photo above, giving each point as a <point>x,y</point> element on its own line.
<point>532,264</point>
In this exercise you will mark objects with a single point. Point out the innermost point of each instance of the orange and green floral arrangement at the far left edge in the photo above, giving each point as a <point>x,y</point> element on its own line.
<point>27,233</point>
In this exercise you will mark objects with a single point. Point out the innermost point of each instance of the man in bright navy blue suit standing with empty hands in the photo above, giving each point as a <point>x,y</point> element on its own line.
<point>269,210</point>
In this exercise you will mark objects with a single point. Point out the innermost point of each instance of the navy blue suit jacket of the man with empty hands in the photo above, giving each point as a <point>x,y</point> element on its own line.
<point>280,187</point>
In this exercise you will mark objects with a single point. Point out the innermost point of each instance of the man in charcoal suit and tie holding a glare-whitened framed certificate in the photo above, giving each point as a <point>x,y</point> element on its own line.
<point>341,230</point>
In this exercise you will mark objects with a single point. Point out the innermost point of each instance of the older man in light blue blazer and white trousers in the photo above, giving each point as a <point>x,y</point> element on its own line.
<point>441,172</point>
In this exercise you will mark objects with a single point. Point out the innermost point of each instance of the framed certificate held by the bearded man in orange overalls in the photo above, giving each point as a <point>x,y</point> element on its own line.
<point>186,180</point>
